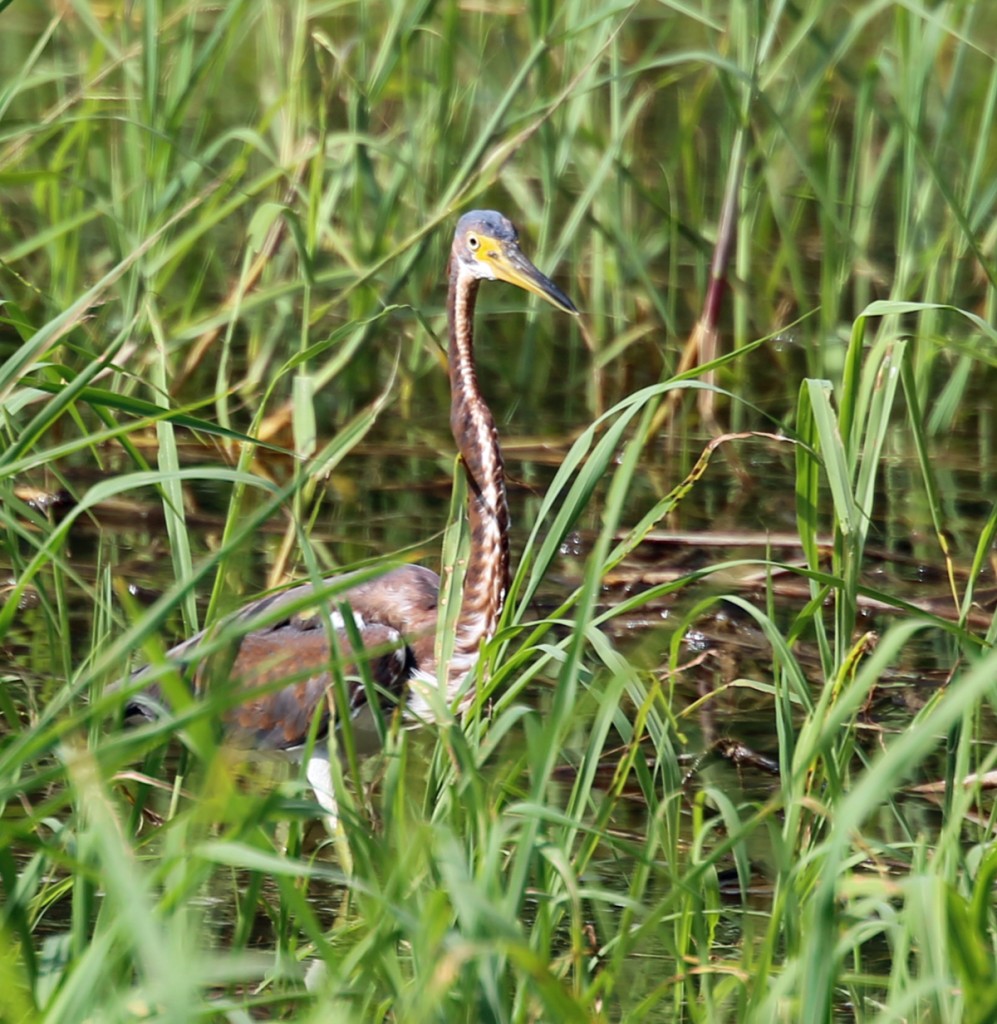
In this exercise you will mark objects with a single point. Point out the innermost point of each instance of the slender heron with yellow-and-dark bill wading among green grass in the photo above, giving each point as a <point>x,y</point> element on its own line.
<point>395,614</point>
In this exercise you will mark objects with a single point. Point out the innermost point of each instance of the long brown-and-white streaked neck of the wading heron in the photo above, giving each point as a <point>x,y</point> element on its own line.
<point>487,579</point>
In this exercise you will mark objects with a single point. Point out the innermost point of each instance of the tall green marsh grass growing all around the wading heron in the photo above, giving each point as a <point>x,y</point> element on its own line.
<point>229,223</point>
